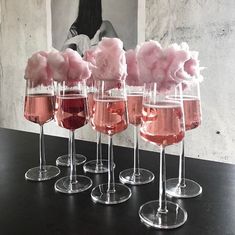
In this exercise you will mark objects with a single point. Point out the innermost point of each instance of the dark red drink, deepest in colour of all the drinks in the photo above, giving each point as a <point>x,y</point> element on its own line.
<point>71,111</point>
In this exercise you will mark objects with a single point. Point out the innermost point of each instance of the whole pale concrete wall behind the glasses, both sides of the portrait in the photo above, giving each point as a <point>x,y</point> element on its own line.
<point>208,26</point>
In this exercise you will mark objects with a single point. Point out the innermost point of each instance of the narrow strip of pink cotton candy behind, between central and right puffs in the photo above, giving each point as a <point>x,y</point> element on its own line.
<point>133,77</point>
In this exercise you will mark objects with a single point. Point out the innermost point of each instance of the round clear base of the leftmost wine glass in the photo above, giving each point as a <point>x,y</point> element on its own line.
<point>35,174</point>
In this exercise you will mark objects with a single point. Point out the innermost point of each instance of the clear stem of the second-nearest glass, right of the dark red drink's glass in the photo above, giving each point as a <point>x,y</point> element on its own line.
<point>111,185</point>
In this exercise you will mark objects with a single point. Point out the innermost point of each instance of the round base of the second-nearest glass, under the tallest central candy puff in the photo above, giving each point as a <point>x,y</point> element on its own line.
<point>121,194</point>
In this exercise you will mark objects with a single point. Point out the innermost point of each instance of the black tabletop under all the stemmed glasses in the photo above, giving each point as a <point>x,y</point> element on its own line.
<point>35,208</point>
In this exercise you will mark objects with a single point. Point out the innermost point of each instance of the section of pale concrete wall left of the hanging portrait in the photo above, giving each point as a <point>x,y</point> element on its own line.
<point>24,28</point>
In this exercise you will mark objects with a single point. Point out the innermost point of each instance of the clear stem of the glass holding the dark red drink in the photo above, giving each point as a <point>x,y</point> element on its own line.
<point>72,156</point>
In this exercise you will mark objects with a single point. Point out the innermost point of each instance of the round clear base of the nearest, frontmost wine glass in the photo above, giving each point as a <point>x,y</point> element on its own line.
<point>173,218</point>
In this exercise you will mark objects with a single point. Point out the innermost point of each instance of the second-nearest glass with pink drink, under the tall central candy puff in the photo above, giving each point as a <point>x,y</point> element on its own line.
<point>110,117</point>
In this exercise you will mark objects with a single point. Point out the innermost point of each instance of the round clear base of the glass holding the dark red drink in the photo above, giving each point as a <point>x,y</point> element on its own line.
<point>81,184</point>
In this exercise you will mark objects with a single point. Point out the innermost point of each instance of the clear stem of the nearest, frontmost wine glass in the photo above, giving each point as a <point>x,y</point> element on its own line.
<point>162,182</point>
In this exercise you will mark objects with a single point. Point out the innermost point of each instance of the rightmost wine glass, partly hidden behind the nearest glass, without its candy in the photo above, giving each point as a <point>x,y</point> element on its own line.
<point>181,187</point>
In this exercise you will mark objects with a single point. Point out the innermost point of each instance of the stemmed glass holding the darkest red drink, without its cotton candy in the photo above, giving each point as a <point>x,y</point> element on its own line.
<point>71,114</point>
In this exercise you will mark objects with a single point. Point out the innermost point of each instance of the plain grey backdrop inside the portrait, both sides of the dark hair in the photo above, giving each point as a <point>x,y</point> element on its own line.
<point>64,14</point>
